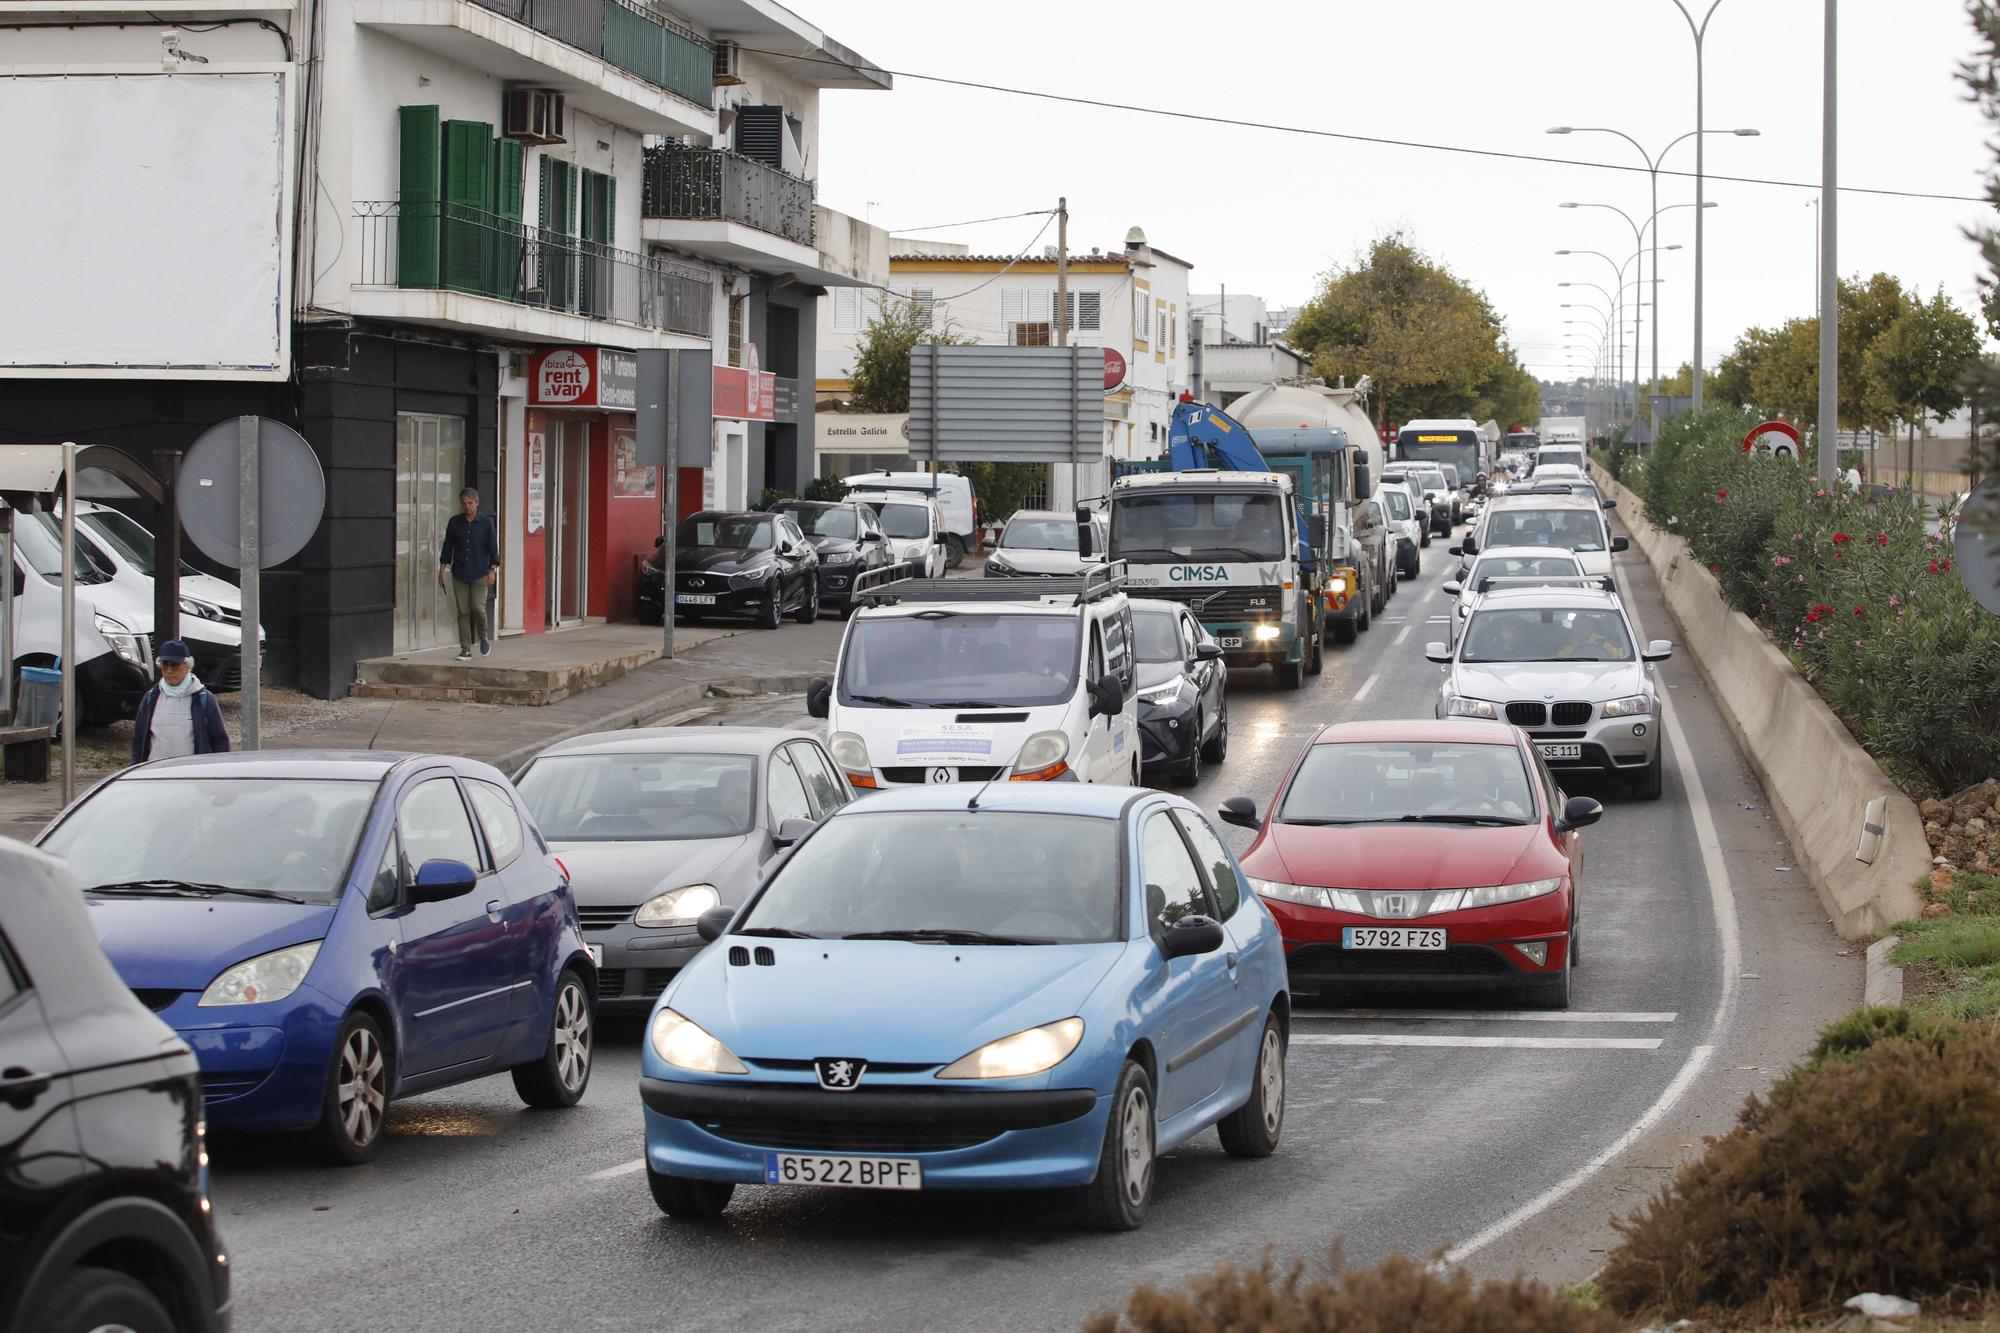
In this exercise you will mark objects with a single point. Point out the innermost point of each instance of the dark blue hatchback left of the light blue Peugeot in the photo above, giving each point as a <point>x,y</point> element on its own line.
<point>333,930</point>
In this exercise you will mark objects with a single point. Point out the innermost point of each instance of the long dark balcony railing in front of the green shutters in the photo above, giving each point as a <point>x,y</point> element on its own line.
<point>457,249</point>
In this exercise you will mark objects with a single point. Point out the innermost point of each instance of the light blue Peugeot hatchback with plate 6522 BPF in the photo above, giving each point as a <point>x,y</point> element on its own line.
<point>961,988</point>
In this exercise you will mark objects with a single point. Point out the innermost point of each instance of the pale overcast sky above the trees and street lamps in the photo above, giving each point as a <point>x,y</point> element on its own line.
<point>1269,213</point>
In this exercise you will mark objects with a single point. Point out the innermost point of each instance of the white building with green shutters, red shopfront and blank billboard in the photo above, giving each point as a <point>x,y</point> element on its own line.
<point>433,237</point>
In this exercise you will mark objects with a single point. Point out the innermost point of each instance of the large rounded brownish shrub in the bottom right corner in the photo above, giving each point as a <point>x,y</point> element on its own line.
<point>1867,1174</point>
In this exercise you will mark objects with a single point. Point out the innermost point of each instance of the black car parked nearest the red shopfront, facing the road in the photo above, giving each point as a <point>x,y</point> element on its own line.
<point>737,565</point>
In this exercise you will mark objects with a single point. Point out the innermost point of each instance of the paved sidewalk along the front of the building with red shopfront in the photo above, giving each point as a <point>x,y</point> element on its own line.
<point>503,736</point>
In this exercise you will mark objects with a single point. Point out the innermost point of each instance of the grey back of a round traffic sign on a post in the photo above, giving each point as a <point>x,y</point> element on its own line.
<point>291,493</point>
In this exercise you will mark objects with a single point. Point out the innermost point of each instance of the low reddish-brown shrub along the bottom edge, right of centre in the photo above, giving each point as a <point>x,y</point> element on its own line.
<point>1401,1296</point>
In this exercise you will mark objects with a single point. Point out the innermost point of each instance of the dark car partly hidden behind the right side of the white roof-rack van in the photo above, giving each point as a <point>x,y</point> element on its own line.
<point>1183,692</point>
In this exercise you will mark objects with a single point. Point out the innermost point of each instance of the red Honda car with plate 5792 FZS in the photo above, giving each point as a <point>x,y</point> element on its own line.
<point>1423,856</point>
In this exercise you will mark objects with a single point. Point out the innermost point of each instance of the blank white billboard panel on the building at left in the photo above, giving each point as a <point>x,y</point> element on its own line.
<point>149,225</point>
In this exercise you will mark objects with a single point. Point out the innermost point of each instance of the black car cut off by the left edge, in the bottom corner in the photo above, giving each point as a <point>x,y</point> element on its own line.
<point>105,1216</point>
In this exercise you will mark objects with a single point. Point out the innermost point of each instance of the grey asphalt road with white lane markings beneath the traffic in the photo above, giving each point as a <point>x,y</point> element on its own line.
<point>1411,1128</point>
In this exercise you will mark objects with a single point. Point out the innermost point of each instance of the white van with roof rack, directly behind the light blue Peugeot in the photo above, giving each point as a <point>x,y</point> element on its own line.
<point>975,680</point>
